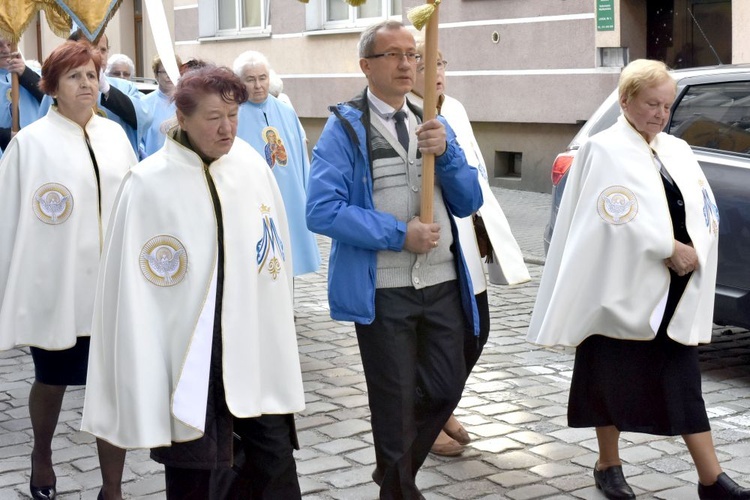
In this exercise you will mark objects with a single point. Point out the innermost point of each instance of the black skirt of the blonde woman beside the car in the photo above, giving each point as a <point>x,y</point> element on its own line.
<point>639,386</point>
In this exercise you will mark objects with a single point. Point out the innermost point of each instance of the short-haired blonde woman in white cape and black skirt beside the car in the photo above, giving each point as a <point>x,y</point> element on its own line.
<point>629,280</point>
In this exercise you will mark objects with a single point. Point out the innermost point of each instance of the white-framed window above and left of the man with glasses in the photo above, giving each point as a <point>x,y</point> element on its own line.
<point>336,14</point>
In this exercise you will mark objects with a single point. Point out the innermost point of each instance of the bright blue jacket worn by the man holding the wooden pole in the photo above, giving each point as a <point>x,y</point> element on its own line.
<point>340,205</point>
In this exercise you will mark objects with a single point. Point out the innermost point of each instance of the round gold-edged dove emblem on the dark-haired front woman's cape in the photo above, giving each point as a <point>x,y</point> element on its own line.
<point>163,260</point>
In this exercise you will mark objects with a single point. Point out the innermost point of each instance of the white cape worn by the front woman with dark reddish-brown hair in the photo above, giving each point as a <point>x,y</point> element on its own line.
<point>151,339</point>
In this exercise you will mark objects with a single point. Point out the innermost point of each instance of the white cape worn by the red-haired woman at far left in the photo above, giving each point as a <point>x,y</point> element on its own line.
<point>49,251</point>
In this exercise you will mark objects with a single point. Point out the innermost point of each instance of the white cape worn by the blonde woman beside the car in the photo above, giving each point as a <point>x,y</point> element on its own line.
<point>605,271</point>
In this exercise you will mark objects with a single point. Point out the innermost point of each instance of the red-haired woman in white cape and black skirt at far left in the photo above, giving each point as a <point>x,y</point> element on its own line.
<point>58,181</point>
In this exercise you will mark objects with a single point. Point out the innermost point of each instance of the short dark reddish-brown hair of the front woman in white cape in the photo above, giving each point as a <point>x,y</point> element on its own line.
<point>195,84</point>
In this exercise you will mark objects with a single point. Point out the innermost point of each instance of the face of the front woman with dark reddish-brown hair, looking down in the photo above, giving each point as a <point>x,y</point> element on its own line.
<point>212,127</point>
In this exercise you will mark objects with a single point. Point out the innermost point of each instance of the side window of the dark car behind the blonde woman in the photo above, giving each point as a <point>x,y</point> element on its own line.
<point>715,116</point>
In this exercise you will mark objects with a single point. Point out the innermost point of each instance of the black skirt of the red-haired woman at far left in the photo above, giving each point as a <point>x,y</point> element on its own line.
<point>66,367</point>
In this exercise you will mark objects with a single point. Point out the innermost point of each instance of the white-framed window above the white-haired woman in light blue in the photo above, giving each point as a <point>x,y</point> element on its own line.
<point>220,18</point>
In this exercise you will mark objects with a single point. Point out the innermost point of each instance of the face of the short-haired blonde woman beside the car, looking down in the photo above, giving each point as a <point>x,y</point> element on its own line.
<point>648,110</point>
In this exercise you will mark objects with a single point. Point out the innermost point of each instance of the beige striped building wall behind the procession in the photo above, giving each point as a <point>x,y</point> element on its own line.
<point>528,73</point>
